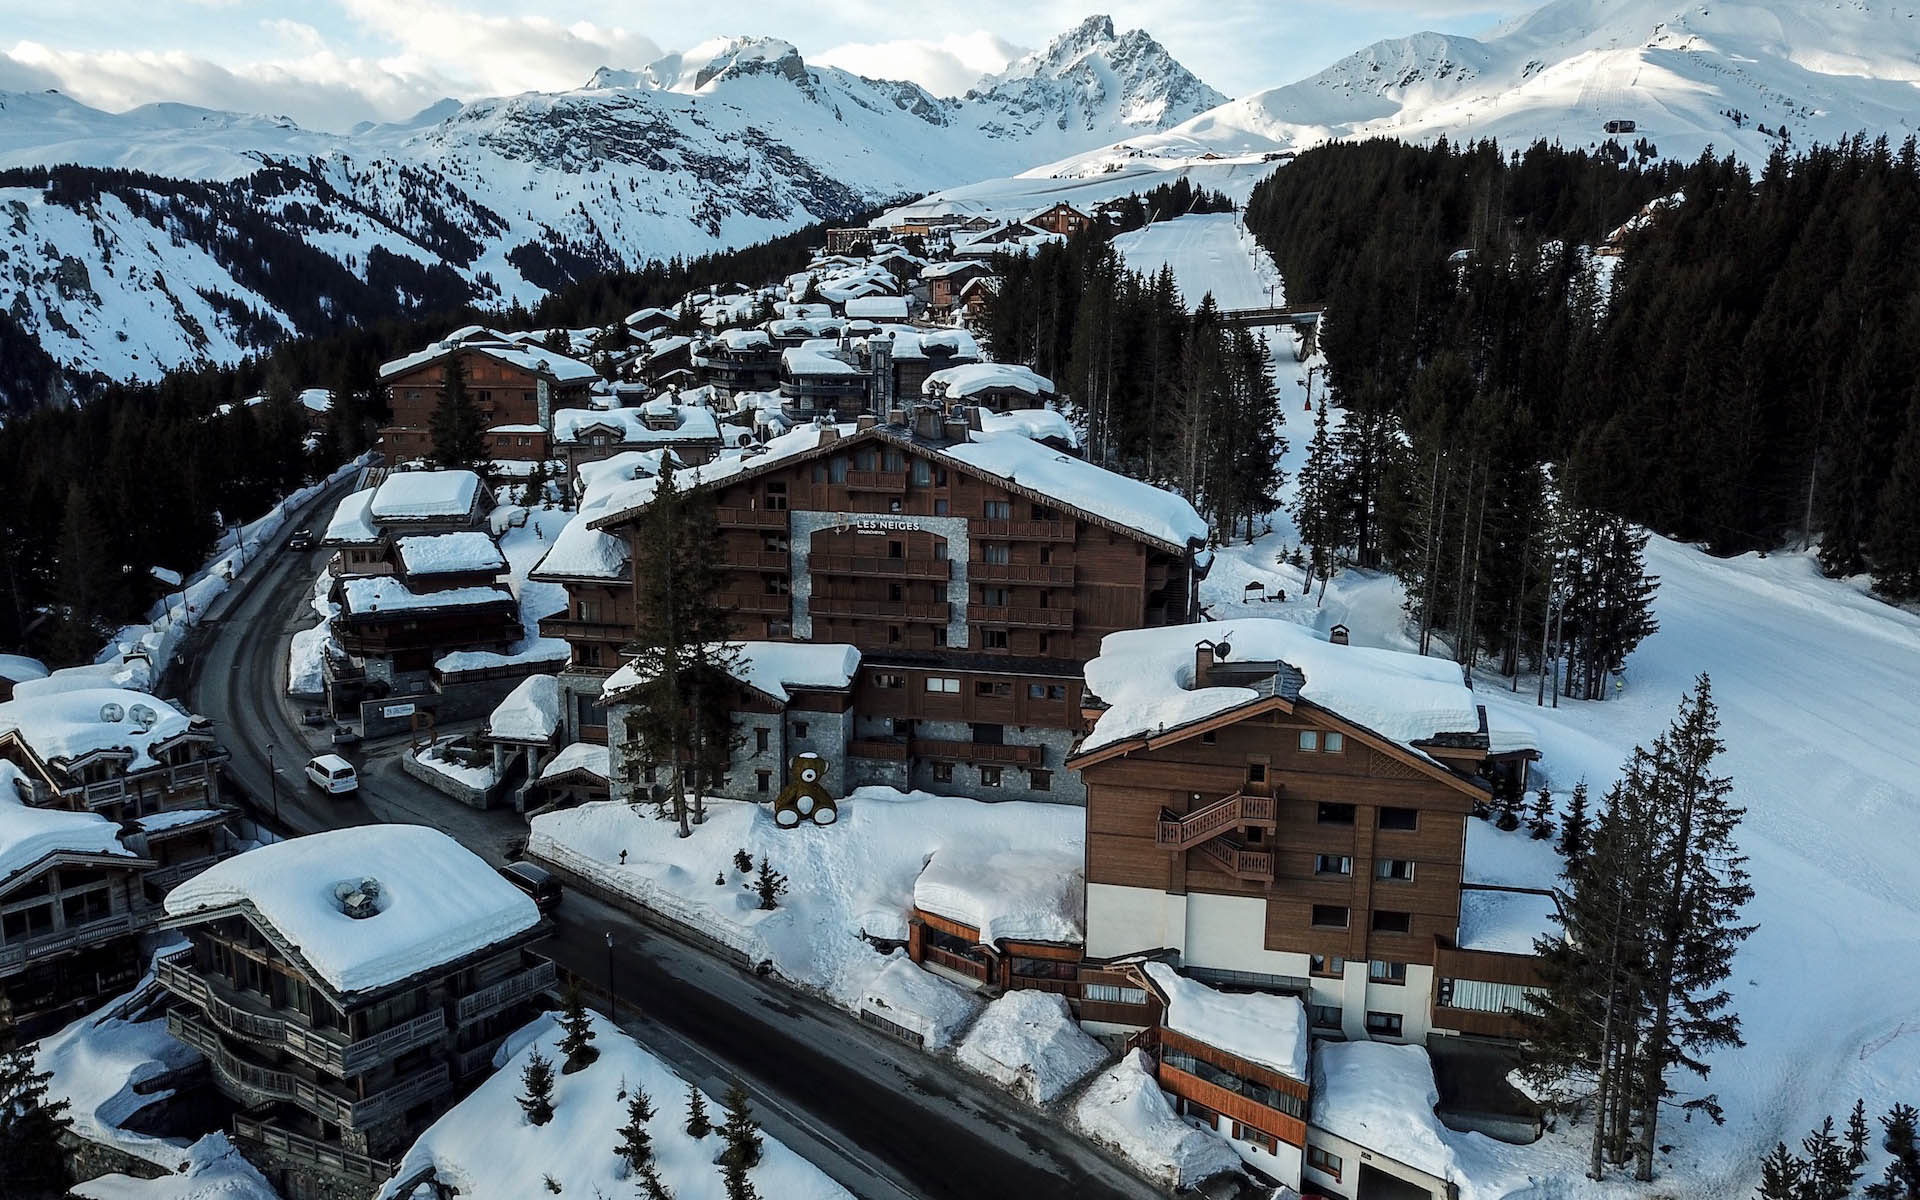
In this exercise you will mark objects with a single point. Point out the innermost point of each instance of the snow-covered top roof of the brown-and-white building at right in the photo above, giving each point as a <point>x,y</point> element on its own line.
<point>1147,681</point>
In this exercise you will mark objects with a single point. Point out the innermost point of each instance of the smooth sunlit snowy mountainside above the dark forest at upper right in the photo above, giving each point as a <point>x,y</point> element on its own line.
<point>1687,72</point>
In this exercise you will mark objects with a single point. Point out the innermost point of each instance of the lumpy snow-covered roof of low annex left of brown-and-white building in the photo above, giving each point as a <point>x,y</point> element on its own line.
<point>1009,896</point>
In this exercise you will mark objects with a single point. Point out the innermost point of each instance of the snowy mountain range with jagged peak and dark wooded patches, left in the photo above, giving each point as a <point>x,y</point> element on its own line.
<point>725,145</point>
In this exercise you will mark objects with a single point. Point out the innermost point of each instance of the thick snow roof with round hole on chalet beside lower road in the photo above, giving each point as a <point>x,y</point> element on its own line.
<point>439,901</point>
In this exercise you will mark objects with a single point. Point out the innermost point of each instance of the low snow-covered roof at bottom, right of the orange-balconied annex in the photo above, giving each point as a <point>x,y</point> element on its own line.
<point>1381,1097</point>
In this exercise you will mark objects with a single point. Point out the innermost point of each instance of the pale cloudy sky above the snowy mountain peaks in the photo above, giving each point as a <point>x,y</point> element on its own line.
<point>331,64</point>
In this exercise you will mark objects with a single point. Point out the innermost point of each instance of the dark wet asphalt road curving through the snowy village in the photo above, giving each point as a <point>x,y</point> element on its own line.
<point>880,1118</point>
